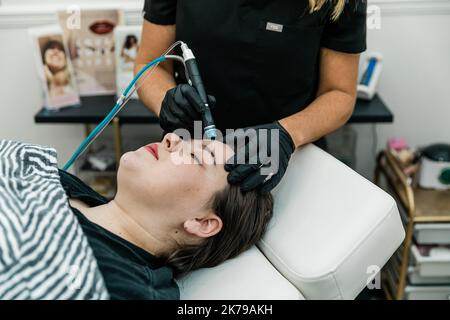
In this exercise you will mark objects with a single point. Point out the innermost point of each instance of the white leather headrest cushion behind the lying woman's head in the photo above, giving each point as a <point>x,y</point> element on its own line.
<point>330,226</point>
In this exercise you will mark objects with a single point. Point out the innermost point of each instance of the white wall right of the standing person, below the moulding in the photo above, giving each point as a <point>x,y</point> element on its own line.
<point>415,82</point>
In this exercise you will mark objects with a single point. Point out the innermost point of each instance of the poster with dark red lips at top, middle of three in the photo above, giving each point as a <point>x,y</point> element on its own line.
<point>90,39</point>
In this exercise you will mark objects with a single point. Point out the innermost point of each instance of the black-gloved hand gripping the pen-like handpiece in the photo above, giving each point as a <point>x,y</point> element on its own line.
<point>181,107</point>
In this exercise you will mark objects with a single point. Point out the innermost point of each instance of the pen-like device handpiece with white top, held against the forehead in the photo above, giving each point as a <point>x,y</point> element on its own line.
<point>197,83</point>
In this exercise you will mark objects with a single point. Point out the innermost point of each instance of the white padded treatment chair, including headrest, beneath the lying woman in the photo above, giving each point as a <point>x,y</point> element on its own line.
<point>332,230</point>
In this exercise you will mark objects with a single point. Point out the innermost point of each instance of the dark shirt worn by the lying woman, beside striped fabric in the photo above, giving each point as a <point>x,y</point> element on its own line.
<point>129,271</point>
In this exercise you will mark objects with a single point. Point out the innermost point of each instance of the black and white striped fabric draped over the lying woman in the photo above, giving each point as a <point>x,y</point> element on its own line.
<point>43,251</point>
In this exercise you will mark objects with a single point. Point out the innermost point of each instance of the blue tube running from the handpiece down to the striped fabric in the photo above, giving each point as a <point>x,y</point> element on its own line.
<point>111,115</point>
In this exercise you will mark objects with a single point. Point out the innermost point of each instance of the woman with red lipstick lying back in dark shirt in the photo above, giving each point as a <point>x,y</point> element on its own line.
<point>174,212</point>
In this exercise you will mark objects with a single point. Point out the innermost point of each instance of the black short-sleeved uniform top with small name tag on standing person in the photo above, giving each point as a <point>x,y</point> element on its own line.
<point>259,58</point>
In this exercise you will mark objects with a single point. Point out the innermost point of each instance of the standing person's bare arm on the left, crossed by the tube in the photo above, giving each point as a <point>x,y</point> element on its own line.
<point>155,40</point>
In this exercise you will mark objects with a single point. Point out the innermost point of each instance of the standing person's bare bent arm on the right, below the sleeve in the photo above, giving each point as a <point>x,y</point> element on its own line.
<point>335,100</point>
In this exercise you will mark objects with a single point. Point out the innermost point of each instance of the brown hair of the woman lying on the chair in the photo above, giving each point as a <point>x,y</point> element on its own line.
<point>245,217</point>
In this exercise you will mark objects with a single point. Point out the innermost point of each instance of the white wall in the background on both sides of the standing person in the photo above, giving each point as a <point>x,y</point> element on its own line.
<point>414,39</point>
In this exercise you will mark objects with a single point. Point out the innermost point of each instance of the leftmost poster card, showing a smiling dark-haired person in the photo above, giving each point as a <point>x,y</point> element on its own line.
<point>54,67</point>
